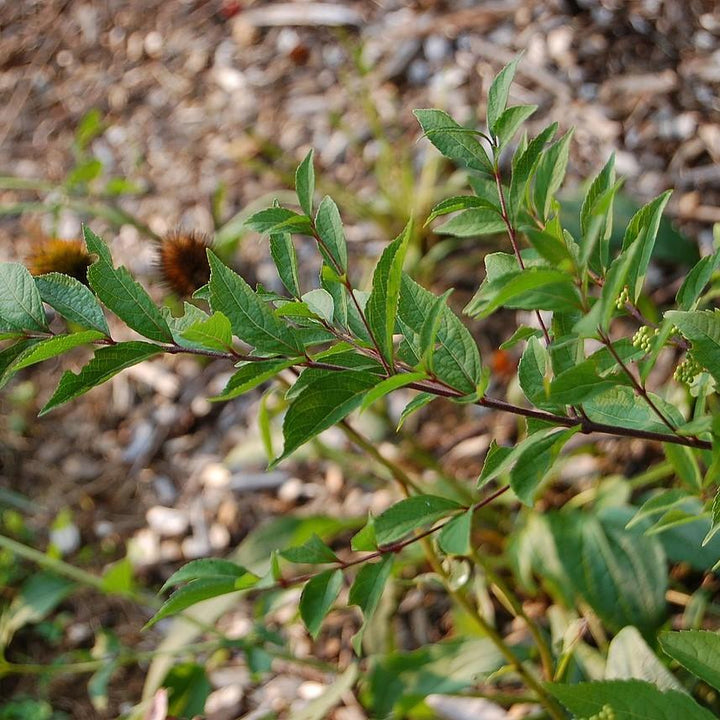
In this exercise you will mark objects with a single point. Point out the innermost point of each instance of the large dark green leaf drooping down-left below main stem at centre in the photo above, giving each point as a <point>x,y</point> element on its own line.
<point>325,399</point>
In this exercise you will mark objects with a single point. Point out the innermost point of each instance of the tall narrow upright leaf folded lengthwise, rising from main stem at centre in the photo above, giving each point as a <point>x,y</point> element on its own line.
<point>382,306</point>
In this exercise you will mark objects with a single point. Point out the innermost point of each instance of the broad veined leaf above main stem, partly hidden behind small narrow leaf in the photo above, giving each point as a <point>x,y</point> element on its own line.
<point>456,359</point>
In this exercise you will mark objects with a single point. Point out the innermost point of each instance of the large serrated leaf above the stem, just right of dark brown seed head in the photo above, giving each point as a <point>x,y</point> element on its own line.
<point>252,319</point>
